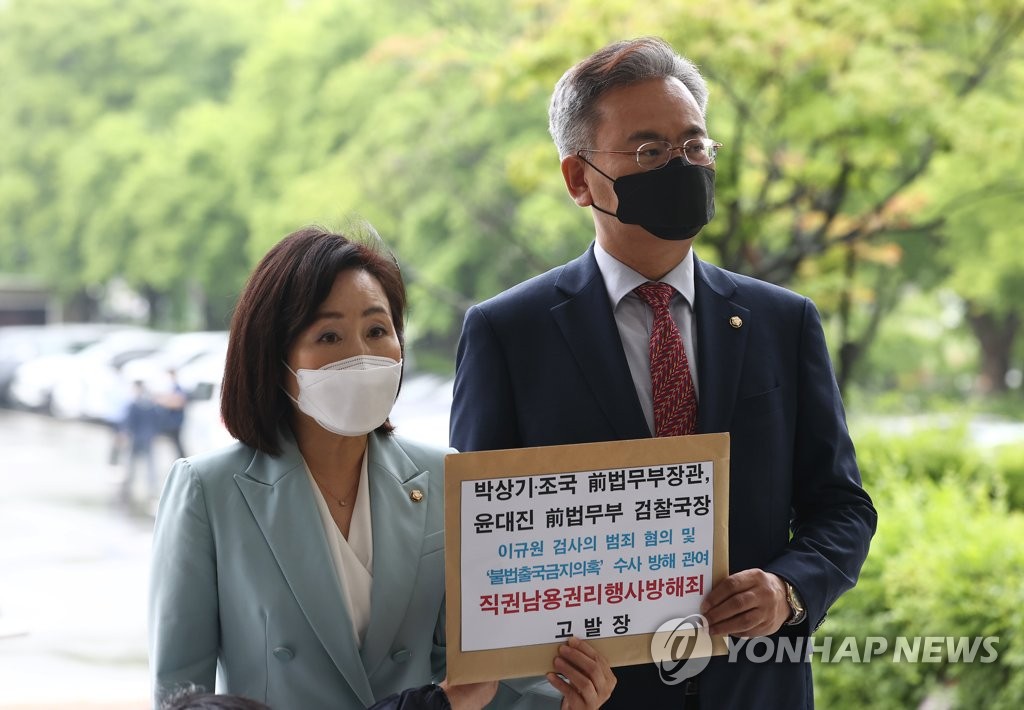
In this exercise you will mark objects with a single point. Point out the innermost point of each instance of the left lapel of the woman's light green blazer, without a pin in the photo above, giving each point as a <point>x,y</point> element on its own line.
<point>281,498</point>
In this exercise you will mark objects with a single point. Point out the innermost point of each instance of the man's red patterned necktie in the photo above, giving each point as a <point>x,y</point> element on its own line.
<point>672,387</point>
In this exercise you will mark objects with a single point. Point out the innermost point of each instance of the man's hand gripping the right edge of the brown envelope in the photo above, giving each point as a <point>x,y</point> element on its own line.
<point>748,604</point>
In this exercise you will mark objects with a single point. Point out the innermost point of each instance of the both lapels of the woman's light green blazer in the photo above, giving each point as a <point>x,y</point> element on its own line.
<point>279,493</point>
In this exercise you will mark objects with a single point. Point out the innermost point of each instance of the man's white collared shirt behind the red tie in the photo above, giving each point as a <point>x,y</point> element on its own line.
<point>635,319</point>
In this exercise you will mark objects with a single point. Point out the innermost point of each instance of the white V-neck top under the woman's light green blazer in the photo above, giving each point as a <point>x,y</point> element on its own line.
<point>353,559</point>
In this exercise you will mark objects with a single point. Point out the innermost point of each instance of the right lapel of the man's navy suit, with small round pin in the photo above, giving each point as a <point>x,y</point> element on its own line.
<point>720,347</point>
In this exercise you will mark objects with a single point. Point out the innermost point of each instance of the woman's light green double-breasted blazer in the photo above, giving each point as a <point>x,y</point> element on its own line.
<point>242,575</point>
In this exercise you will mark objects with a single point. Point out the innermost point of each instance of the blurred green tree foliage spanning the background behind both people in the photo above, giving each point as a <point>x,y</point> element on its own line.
<point>869,146</point>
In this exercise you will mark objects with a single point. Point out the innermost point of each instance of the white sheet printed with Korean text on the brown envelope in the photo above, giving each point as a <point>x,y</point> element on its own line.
<point>590,554</point>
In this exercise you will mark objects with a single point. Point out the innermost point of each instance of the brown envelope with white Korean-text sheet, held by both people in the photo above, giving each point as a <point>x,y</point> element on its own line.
<point>603,541</point>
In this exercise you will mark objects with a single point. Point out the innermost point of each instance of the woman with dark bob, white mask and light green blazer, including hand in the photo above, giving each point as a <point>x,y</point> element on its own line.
<point>305,565</point>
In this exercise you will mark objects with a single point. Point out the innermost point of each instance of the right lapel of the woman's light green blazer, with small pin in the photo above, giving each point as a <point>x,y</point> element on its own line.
<point>399,528</point>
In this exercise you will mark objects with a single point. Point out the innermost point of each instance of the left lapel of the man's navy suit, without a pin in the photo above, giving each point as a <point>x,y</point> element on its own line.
<point>588,324</point>
